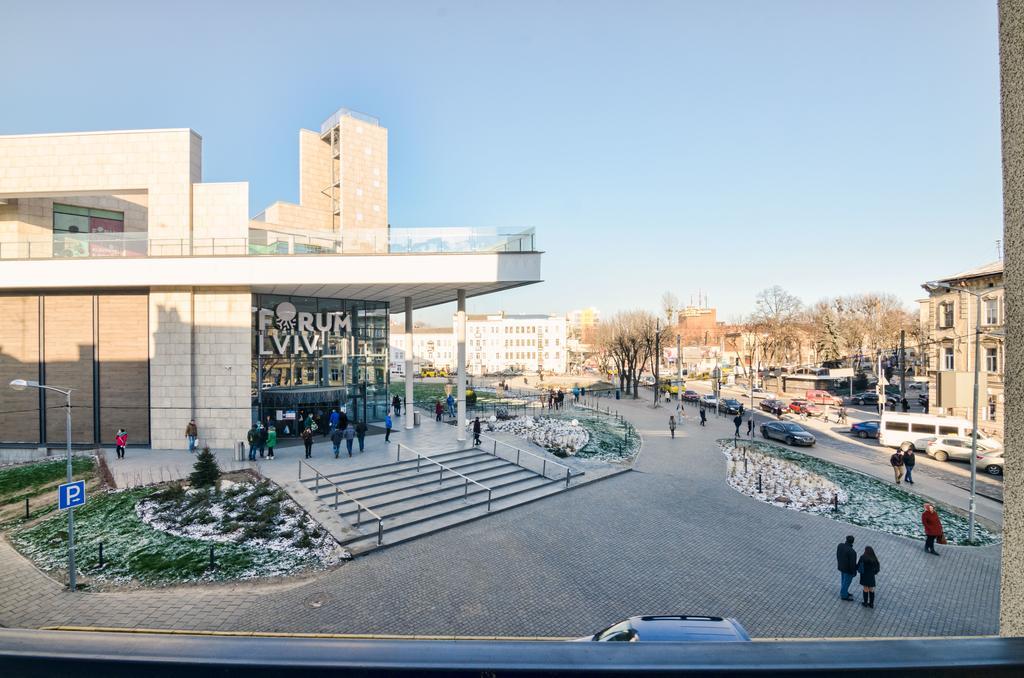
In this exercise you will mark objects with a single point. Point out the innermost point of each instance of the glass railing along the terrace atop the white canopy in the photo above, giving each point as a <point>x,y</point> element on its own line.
<point>269,242</point>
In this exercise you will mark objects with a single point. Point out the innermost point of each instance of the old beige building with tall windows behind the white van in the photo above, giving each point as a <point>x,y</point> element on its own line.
<point>948,321</point>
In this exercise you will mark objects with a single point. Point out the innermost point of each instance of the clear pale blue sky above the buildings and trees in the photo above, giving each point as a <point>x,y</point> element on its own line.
<point>829,148</point>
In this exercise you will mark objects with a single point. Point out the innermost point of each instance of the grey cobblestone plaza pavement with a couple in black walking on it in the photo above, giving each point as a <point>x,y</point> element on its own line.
<point>670,537</point>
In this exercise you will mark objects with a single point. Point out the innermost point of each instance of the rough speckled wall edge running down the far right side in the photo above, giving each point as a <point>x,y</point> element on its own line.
<point>1012,76</point>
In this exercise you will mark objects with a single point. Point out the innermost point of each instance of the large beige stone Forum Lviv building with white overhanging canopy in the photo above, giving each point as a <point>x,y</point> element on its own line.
<point>157,300</point>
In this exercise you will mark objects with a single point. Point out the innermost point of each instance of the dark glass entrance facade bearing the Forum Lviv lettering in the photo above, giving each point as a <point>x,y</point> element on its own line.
<point>312,355</point>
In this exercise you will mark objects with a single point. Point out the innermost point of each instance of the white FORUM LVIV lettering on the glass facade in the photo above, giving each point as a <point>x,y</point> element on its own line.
<point>298,332</point>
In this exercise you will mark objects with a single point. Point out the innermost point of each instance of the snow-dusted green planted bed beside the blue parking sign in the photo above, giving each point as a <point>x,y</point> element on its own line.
<point>145,533</point>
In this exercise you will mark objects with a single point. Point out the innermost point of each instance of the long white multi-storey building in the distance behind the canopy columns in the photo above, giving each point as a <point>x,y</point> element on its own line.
<point>495,344</point>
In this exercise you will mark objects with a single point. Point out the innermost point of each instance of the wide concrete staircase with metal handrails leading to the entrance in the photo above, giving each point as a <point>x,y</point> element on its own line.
<point>417,498</point>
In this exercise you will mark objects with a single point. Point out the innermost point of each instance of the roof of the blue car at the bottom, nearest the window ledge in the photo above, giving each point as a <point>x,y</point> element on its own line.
<point>666,628</point>
